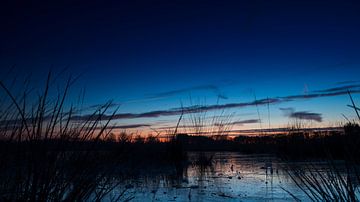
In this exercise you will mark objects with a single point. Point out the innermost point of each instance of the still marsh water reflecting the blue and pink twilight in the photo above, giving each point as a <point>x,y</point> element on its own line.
<point>231,177</point>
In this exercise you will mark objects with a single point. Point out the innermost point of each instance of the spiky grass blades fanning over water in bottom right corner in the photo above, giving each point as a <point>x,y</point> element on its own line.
<point>332,183</point>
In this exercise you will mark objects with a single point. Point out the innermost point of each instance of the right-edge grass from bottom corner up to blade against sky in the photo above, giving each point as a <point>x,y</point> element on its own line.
<point>337,182</point>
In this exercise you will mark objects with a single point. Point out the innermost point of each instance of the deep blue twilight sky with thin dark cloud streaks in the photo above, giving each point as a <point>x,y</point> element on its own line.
<point>264,63</point>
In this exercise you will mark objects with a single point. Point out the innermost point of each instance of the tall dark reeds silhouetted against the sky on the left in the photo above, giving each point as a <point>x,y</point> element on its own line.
<point>46,154</point>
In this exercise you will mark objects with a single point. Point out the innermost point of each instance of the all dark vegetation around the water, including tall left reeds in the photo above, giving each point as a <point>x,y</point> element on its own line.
<point>47,156</point>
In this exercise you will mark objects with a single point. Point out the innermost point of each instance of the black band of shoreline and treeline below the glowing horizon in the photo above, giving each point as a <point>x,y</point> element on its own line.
<point>74,169</point>
